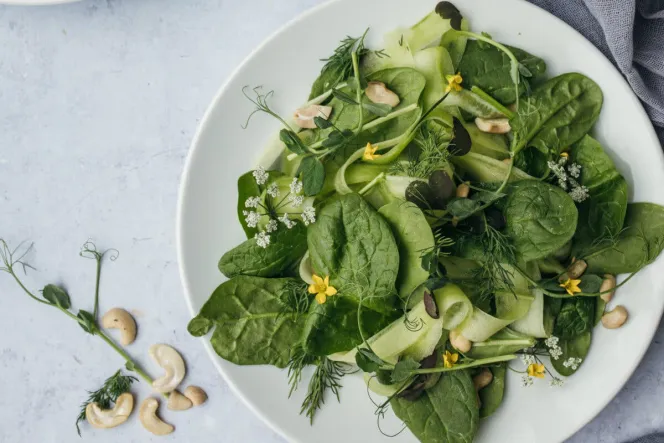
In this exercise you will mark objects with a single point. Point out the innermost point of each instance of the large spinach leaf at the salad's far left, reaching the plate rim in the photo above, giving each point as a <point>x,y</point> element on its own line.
<point>255,320</point>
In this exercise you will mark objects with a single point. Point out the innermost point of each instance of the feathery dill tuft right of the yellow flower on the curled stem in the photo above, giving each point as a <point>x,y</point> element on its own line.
<point>433,153</point>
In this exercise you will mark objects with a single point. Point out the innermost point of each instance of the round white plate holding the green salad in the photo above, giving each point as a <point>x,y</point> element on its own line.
<point>288,63</point>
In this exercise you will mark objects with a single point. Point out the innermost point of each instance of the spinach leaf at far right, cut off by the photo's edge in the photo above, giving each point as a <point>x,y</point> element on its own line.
<point>638,244</point>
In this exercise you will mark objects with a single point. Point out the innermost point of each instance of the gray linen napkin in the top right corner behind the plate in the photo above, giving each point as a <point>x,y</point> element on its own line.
<point>631,34</point>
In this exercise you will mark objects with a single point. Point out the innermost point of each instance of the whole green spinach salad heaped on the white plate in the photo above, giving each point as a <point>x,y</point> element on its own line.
<point>436,215</point>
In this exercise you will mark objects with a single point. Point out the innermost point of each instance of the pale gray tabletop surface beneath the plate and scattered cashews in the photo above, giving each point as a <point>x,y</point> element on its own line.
<point>98,104</point>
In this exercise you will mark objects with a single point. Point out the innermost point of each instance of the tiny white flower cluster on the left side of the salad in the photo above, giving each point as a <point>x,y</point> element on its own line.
<point>253,218</point>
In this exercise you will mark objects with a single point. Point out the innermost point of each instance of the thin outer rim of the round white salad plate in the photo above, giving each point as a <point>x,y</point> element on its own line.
<point>205,121</point>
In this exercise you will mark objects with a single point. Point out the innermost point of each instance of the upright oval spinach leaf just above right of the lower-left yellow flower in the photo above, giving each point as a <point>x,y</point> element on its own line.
<point>354,245</point>
